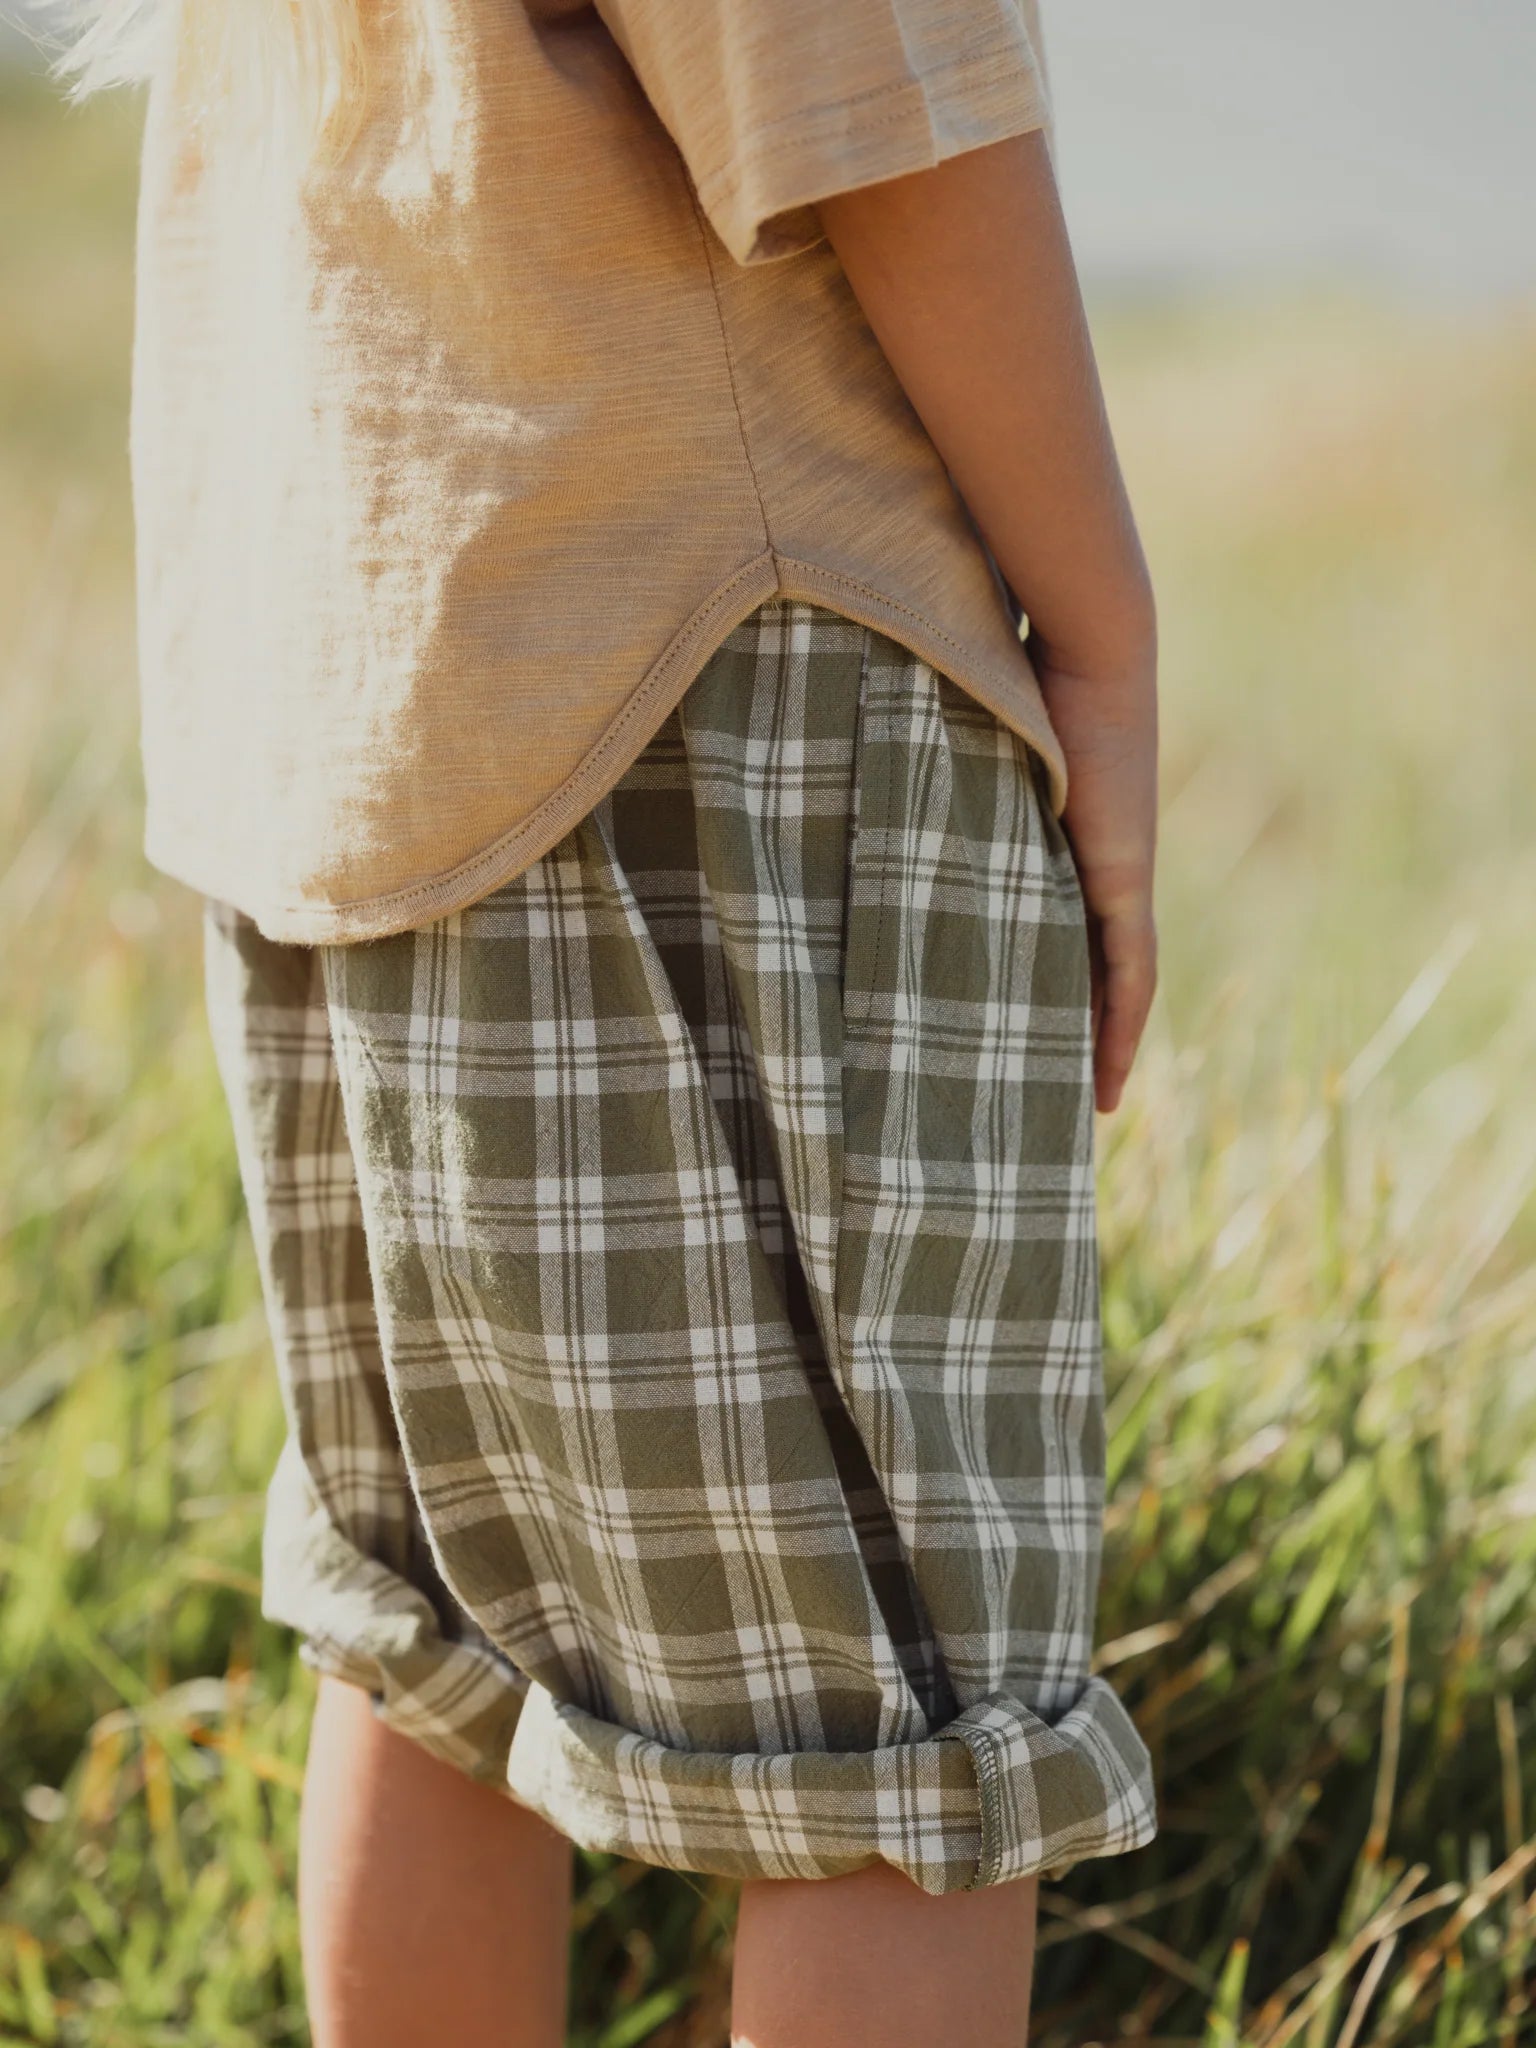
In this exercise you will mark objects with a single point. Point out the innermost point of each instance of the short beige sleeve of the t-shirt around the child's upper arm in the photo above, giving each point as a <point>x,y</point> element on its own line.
<point>781,103</point>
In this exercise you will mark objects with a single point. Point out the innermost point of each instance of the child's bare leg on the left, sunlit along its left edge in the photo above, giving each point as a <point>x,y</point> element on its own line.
<point>433,1908</point>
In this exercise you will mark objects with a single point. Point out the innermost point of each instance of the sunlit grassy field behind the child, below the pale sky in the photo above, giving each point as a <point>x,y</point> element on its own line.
<point>1318,1207</point>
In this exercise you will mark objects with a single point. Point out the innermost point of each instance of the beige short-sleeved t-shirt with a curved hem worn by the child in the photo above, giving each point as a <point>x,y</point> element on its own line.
<point>454,462</point>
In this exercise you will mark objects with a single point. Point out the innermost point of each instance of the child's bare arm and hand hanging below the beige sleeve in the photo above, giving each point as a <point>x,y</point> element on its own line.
<point>968,282</point>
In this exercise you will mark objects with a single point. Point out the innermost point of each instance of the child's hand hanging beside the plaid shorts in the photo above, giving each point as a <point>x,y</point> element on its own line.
<point>1109,732</point>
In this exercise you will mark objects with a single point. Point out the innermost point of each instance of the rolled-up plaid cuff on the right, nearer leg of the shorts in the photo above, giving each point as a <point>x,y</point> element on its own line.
<point>996,1795</point>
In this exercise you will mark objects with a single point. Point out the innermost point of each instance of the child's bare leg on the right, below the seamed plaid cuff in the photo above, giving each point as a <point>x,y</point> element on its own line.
<point>871,1959</point>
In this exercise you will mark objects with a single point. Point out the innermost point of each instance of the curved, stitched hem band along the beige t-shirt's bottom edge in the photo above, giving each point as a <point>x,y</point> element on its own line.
<point>769,577</point>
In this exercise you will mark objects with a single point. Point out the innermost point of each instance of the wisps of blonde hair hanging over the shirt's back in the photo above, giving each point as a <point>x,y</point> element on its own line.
<point>288,67</point>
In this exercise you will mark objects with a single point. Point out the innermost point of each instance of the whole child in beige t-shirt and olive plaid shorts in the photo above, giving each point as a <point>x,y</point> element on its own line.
<point>667,939</point>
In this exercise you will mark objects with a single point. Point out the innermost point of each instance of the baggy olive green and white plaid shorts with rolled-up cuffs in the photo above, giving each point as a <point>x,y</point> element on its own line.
<point>685,1291</point>
